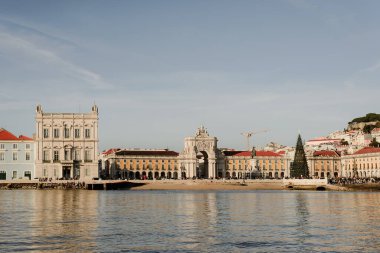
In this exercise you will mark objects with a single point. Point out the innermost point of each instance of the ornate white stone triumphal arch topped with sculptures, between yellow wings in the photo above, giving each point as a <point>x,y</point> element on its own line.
<point>201,157</point>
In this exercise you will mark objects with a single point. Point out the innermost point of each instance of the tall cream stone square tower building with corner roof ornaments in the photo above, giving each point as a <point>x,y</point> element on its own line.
<point>67,144</point>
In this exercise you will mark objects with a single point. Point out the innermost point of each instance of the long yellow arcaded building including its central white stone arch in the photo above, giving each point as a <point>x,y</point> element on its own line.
<point>201,158</point>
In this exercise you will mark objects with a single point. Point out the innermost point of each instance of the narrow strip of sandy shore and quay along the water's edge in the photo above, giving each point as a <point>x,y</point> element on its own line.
<point>264,184</point>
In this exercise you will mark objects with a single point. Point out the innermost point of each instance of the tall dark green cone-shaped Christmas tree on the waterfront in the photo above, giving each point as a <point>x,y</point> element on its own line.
<point>299,167</point>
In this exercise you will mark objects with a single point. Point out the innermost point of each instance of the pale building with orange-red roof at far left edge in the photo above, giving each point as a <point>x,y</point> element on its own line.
<point>16,156</point>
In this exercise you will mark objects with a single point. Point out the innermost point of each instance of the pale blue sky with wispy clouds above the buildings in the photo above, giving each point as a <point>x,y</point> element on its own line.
<point>160,69</point>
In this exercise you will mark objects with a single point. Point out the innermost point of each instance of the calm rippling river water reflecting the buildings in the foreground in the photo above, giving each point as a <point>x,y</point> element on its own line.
<point>188,221</point>
